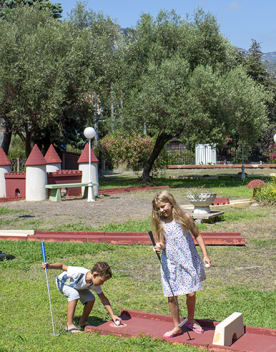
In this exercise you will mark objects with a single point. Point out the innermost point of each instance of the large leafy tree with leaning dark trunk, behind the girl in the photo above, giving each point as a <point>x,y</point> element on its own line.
<point>177,83</point>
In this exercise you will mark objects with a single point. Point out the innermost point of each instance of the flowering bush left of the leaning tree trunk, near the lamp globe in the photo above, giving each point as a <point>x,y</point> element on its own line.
<point>132,149</point>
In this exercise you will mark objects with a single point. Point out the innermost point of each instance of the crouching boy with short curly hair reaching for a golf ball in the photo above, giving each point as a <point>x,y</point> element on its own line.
<point>75,283</point>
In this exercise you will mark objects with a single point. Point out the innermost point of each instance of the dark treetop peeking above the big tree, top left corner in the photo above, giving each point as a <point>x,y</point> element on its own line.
<point>7,5</point>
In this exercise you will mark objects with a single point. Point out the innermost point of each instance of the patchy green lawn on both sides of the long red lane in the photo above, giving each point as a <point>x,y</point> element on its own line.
<point>241,279</point>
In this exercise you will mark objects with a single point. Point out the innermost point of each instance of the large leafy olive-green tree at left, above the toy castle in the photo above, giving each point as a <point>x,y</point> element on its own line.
<point>45,73</point>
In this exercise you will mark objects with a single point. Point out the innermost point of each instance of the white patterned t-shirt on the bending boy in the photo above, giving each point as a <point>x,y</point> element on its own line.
<point>75,277</point>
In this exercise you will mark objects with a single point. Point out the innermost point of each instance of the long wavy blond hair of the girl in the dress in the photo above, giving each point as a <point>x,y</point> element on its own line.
<point>177,213</point>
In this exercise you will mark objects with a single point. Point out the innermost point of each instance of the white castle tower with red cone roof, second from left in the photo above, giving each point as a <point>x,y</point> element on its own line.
<point>36,176</point>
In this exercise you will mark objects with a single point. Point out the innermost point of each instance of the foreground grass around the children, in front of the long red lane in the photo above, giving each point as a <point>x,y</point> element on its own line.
<point>25,317</point>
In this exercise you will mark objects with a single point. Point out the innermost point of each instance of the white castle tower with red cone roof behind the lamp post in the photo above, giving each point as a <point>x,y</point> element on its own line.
<point>84,167</point>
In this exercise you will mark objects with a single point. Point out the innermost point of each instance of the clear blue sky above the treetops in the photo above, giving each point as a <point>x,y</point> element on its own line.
<point>239,21</point>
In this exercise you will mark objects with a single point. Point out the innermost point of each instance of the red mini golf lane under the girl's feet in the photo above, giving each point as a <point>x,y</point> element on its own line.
<point>135,324</point>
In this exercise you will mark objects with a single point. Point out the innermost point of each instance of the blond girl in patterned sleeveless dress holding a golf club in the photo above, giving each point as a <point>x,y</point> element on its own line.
<point>180,260</point>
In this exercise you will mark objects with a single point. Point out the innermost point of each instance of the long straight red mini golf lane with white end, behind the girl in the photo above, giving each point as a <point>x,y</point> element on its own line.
<point>210,238</point>
